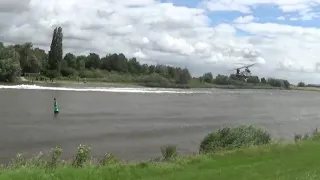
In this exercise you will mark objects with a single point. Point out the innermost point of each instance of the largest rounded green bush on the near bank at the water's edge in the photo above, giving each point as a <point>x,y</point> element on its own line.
<point>231,138</point>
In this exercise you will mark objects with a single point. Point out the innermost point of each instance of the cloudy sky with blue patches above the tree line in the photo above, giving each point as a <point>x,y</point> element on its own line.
<point>281,36</point>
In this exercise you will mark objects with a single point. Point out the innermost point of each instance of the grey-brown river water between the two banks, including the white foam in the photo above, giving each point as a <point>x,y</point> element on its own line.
<point>133,123</point>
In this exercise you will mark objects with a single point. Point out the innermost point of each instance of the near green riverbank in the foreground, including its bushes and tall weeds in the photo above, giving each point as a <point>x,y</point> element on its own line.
<point>233,158</point>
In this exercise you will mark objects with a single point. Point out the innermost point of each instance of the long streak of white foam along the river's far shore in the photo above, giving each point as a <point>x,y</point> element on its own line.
<point>104,89</point>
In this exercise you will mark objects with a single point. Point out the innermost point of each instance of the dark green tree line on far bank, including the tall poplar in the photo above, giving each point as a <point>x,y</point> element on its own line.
<point>22,59</point>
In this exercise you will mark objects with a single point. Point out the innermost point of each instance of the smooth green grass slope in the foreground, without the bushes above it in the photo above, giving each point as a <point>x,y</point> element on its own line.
<point>296,161</point>
